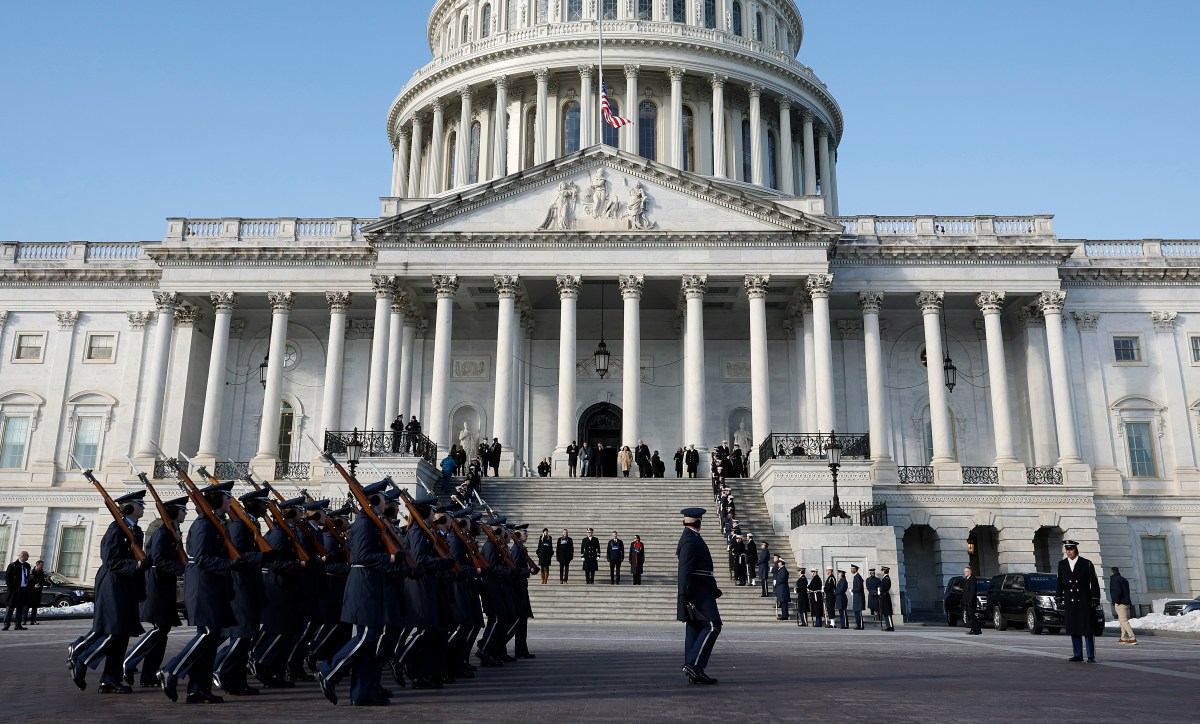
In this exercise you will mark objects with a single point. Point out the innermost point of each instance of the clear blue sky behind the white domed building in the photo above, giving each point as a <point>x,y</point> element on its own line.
<point>115,116</point>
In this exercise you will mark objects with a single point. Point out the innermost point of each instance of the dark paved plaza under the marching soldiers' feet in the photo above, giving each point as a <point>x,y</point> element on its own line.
<point>632,673</point>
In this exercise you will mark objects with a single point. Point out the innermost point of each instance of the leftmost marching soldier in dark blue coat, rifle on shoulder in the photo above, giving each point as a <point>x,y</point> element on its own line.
<point>119,588</point>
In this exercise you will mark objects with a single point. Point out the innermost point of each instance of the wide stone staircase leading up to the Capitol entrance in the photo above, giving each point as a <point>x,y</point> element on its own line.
<point>646,507</point>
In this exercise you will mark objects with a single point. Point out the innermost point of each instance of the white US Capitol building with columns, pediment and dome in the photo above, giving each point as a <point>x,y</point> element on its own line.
<point>995,387</point>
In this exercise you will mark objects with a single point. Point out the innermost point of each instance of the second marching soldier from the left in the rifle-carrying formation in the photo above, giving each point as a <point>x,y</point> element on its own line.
<point>159,608</point>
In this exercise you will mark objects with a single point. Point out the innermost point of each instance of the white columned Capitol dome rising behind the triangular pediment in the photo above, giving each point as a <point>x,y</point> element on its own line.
<point>713,87</point>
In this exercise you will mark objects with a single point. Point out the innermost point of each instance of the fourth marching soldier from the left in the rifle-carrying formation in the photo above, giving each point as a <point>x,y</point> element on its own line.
<point>249,599</point>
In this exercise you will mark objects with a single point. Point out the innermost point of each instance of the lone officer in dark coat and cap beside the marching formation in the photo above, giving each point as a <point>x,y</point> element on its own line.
<point>698,599</point>
